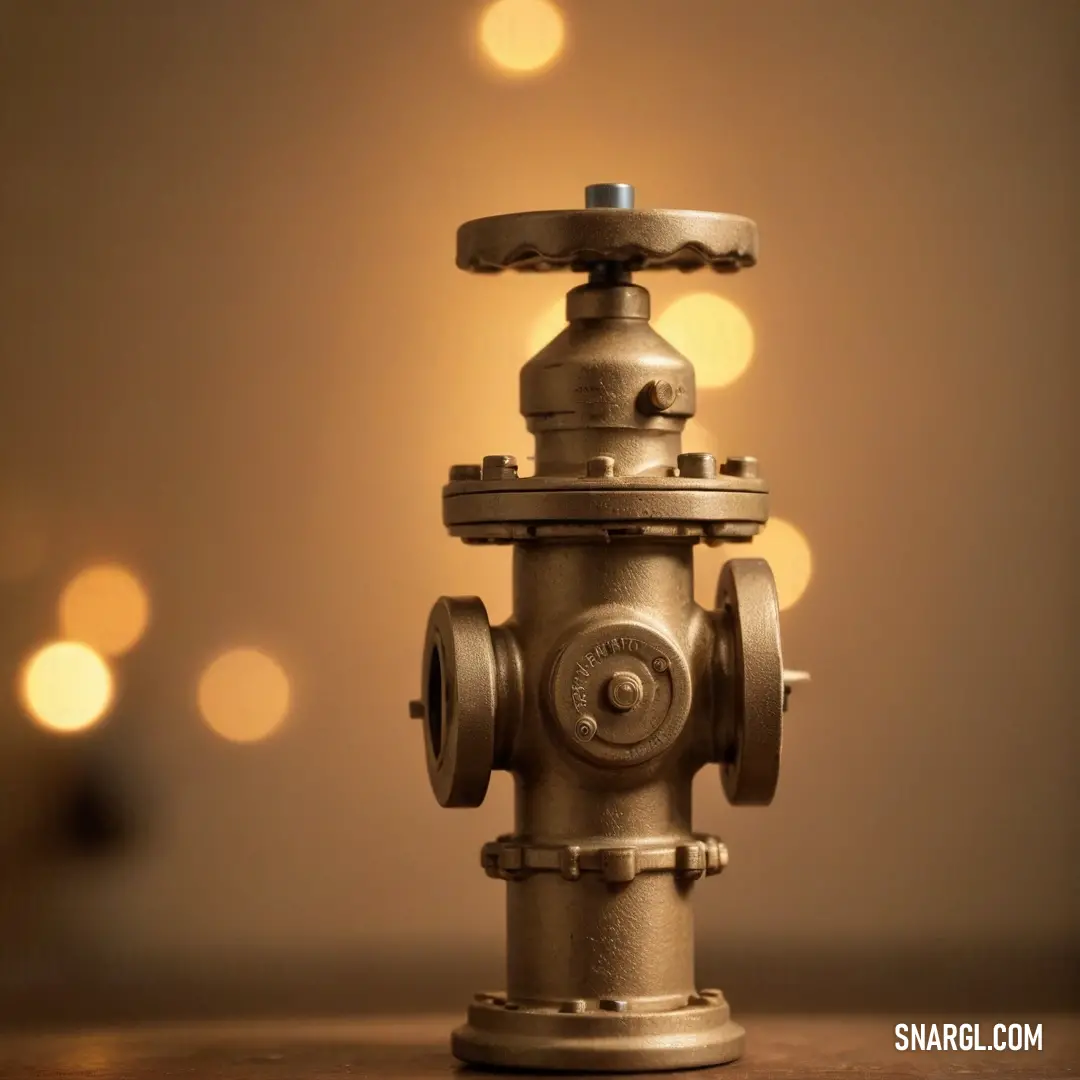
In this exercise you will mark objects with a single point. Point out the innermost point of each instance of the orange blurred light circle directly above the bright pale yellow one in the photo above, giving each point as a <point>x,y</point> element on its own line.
<point>106,607</point>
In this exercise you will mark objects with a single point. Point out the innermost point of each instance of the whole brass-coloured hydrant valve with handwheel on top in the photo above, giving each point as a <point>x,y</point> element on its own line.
<point>610,687</point>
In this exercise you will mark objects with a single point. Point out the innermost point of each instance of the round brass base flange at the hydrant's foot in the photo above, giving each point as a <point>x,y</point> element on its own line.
<point>585,1037</point>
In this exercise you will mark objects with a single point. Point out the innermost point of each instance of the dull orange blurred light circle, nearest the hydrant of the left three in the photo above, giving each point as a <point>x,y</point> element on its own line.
<point>244,696</point>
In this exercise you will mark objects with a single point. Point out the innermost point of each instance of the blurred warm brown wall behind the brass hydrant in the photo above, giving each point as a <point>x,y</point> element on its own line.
<point>236,356</point>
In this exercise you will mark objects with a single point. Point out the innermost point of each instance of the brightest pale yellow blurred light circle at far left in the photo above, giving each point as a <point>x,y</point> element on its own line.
<point>66,687</point>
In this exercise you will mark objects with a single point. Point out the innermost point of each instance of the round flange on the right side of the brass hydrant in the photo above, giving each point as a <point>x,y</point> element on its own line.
<point>752,682</point>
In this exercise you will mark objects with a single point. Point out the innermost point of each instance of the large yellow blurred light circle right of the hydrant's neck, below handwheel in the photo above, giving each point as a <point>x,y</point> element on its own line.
<point>713,334</point>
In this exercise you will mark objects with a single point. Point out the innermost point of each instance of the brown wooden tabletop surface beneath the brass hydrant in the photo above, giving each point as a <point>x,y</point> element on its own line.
<point>780,1048</point>
